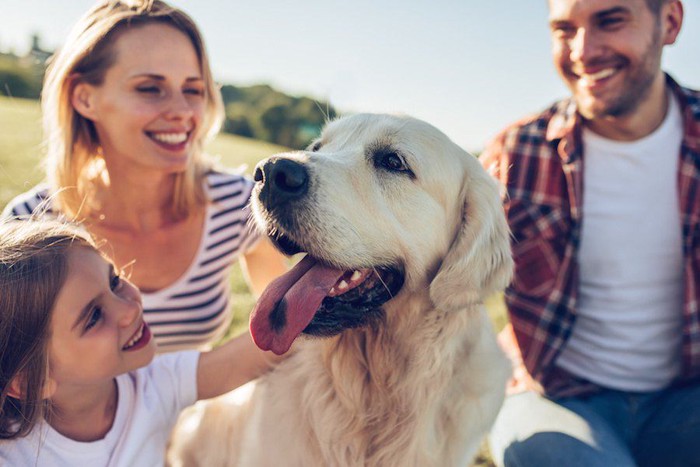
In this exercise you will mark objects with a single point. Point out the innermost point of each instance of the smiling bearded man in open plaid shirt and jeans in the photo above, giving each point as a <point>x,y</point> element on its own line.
<point>603,199</point>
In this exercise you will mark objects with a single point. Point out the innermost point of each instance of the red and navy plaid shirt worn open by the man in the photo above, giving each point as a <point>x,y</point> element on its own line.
<point>540,162</point>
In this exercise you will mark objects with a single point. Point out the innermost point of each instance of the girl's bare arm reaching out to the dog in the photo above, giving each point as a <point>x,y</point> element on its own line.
<point>231,365</point>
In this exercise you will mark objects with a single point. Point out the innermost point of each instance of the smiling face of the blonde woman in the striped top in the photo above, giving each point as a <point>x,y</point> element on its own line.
<point>149,108</point>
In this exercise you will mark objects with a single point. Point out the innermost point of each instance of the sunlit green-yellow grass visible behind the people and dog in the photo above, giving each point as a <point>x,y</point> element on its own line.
<point>20,169</point>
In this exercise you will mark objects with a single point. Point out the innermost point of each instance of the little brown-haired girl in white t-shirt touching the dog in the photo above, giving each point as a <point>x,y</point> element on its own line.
<point>78,379</point>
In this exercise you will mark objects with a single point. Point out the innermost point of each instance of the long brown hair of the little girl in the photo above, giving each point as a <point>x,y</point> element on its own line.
<point>33,268</point>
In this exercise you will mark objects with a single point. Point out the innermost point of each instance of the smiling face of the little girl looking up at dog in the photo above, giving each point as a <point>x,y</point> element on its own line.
<point>97,327</point>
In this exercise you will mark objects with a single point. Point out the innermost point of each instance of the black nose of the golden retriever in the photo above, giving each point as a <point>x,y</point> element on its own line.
<point>283,180</point>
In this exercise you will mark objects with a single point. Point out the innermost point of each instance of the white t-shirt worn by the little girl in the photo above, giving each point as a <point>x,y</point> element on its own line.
<point>149,402</point>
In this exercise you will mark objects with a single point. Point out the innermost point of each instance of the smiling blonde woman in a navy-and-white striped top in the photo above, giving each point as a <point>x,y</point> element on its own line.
<point>128,103</point>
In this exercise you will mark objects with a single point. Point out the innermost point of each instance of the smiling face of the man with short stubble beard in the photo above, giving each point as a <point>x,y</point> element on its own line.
<point>608,52</point>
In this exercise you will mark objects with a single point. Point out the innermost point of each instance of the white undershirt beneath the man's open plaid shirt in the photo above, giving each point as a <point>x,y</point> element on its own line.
<point>628,329</point>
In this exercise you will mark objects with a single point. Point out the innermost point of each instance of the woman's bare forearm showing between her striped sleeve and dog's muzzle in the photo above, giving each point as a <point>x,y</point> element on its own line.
<point>262,264</point>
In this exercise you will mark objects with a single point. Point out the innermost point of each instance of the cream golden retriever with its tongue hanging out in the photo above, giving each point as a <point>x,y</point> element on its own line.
<point>405,237</point>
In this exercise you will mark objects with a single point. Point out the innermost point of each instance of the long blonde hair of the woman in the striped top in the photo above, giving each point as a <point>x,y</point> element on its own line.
<point>73,160</point>
